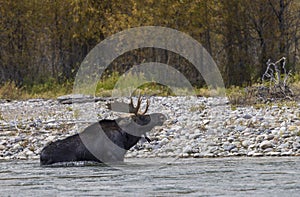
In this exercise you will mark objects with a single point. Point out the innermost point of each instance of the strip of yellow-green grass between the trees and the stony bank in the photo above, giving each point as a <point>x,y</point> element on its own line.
<point>52,89</point>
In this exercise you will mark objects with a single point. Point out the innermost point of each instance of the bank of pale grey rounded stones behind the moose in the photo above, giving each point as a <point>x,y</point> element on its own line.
<point>196,127</point>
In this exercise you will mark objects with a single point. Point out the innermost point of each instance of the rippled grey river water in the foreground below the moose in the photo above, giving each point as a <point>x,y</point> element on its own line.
<point>156,177</point>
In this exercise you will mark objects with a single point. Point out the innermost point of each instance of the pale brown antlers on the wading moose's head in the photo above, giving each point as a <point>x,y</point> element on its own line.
<point>124,107</point>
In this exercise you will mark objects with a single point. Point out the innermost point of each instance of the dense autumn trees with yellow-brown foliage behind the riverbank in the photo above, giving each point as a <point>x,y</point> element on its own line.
<point>42,43</point>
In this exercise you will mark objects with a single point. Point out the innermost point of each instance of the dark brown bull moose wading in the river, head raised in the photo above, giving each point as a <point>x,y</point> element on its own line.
<point>105,141</point>
